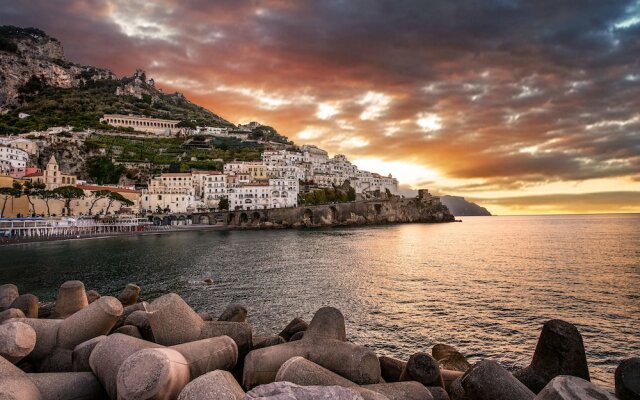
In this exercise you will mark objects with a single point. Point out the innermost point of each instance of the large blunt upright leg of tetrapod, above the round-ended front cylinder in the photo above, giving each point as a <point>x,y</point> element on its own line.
<point>173,321</point>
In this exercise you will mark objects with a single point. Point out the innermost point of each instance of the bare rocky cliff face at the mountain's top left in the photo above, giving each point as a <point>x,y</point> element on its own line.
<point>26,53</point>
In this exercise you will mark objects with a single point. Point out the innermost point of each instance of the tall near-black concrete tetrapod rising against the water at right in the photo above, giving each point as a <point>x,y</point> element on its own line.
<point>560,351</point>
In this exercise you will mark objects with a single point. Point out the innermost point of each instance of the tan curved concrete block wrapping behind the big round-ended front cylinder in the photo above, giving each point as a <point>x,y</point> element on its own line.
<point>108,355</point>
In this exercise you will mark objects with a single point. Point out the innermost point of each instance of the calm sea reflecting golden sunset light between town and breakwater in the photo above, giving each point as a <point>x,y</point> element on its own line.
<point>485,285</point>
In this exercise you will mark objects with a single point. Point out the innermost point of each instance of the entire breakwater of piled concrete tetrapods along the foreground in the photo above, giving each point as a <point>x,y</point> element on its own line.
<point>85,346</point>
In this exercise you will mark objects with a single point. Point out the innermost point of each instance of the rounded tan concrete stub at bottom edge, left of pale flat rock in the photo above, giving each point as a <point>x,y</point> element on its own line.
<point>215,385</point>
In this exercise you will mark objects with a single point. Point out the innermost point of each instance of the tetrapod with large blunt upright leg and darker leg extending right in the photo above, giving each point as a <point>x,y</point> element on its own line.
<point>173,322</point>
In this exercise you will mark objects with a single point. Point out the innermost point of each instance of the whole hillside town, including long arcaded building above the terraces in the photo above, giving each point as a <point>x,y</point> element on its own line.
<point>283,177</point>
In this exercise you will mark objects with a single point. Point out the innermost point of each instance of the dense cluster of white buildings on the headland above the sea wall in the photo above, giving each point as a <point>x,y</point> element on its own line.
<point>273,182</point>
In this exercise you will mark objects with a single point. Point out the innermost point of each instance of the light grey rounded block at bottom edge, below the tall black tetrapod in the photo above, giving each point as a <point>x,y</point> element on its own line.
<point>566,387</point>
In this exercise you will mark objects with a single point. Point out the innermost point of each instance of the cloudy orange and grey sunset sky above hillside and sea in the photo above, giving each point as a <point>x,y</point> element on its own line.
<point>526,107</point>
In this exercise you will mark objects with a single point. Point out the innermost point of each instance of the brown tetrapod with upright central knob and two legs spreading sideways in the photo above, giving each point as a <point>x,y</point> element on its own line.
<point>323,343</point>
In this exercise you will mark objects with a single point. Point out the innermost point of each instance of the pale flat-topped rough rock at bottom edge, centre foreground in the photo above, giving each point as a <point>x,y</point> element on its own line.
<point>290,391</point>
